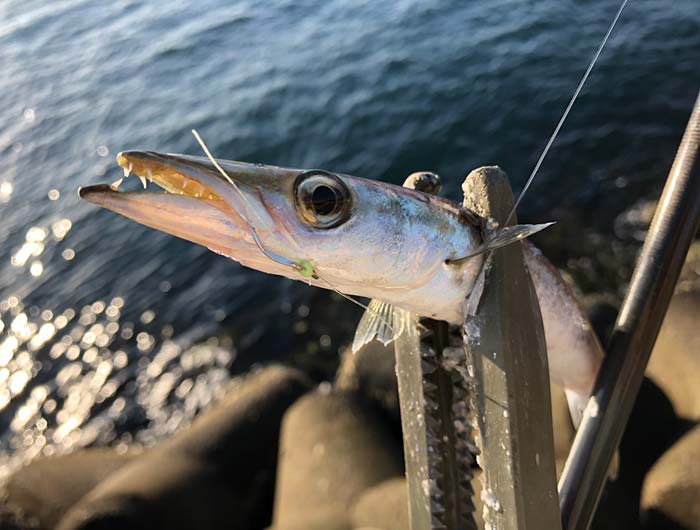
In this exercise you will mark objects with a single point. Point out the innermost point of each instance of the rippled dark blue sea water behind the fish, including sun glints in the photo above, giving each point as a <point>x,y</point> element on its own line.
<point>102,320</point>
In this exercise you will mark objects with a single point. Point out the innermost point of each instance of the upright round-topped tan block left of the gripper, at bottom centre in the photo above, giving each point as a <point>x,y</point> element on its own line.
<point>334,446</point>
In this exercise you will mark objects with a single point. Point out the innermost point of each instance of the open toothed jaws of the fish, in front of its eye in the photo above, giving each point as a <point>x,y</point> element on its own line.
<point>197,202</point>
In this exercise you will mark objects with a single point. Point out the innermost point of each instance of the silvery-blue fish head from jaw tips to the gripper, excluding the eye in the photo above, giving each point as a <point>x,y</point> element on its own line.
<point>393,246</point>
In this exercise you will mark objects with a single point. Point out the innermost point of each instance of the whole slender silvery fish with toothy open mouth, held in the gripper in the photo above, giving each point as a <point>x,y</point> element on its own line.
<point>356,236</point>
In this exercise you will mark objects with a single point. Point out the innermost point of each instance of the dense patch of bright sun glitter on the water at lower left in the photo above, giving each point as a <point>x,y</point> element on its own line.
<point>73,379</point>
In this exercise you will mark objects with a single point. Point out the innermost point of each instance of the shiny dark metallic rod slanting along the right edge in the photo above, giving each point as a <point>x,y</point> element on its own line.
<point>671,232</point>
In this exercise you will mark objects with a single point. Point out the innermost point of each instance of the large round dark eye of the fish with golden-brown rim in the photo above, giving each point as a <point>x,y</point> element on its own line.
<point>321,199</point>
